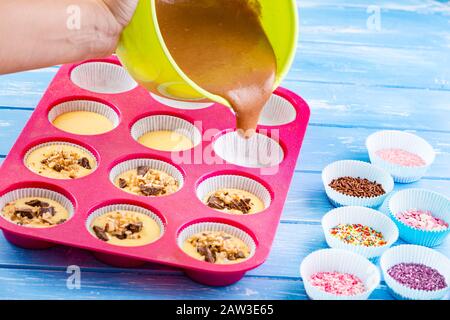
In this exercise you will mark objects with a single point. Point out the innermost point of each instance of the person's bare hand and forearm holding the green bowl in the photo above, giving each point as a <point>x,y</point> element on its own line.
<point>37,33</point>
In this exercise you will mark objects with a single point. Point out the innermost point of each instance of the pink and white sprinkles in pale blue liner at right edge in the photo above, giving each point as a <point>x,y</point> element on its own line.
<point>421,219</point>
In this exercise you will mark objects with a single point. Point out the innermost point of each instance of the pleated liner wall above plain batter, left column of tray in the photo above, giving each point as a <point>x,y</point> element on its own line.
<point>84,105</point>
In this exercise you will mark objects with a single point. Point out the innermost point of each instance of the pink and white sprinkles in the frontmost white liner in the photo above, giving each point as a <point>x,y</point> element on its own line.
<point>342,284</point>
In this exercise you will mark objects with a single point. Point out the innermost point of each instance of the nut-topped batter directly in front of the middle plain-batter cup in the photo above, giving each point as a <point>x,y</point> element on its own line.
<point>148,182</point>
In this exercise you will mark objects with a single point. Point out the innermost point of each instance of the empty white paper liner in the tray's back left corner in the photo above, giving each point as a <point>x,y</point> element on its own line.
<point>102,77</point>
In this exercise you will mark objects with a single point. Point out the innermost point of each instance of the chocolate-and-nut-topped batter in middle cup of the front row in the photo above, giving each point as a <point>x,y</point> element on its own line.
<point>126,228</point>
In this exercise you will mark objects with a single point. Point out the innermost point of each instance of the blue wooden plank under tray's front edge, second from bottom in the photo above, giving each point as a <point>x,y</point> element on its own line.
<point>294,241</point>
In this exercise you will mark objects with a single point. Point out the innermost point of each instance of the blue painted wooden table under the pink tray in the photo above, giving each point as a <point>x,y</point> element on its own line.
<point>361,68</point>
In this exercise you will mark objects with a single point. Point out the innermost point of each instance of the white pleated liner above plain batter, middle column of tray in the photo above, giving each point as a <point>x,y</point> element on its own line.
<point>166,123</point>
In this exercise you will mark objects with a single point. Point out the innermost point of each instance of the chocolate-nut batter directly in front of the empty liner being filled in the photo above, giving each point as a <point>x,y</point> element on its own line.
<point>234,201</point>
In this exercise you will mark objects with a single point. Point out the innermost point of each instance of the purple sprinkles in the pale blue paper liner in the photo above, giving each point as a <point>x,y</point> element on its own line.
<point>418,276</point>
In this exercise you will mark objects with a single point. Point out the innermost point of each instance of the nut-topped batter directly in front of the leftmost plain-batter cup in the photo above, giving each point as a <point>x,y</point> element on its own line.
<point>61,162</point>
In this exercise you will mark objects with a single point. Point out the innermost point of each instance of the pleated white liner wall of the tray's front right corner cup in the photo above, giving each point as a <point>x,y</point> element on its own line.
<point>189,231</point>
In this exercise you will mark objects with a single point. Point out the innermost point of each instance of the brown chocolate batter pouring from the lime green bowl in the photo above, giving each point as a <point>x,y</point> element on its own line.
<point>221,46</point>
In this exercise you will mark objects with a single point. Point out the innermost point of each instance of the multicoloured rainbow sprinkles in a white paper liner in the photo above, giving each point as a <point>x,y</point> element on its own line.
<point>358,234</point>
